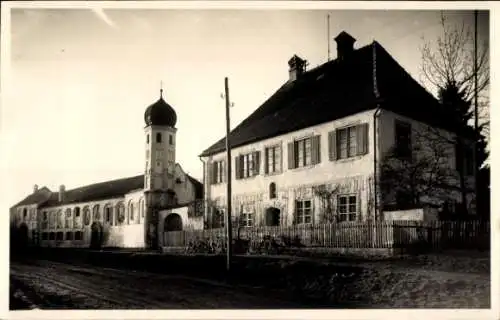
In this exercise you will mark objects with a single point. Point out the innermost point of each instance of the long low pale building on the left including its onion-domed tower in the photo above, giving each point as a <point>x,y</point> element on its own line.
<point>129,212</point>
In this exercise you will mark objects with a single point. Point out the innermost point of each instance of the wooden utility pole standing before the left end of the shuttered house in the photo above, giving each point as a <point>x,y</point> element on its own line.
<point>228,177</point>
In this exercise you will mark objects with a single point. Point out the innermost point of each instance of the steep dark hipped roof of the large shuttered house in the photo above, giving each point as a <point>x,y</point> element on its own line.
<point>368,77</point>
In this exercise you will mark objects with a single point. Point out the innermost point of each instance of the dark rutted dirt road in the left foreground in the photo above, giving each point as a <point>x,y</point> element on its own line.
<point>50,285</point>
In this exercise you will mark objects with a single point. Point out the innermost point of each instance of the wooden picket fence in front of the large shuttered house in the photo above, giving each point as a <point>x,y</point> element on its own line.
<point>383,234</point>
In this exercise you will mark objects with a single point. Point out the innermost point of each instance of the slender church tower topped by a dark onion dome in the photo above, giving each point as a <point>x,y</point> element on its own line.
<point>160,131</point>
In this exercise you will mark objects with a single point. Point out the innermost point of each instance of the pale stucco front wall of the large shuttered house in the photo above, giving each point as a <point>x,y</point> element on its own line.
<point>352,173</point>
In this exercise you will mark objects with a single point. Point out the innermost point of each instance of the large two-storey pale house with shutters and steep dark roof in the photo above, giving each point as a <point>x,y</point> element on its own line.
<point>324,129</point>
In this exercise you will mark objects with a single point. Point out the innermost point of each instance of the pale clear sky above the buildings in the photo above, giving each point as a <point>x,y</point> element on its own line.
<point>80,80</point>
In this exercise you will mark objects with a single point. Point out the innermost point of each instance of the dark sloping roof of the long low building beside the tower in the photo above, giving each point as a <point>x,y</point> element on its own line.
<point>107,189</point>
